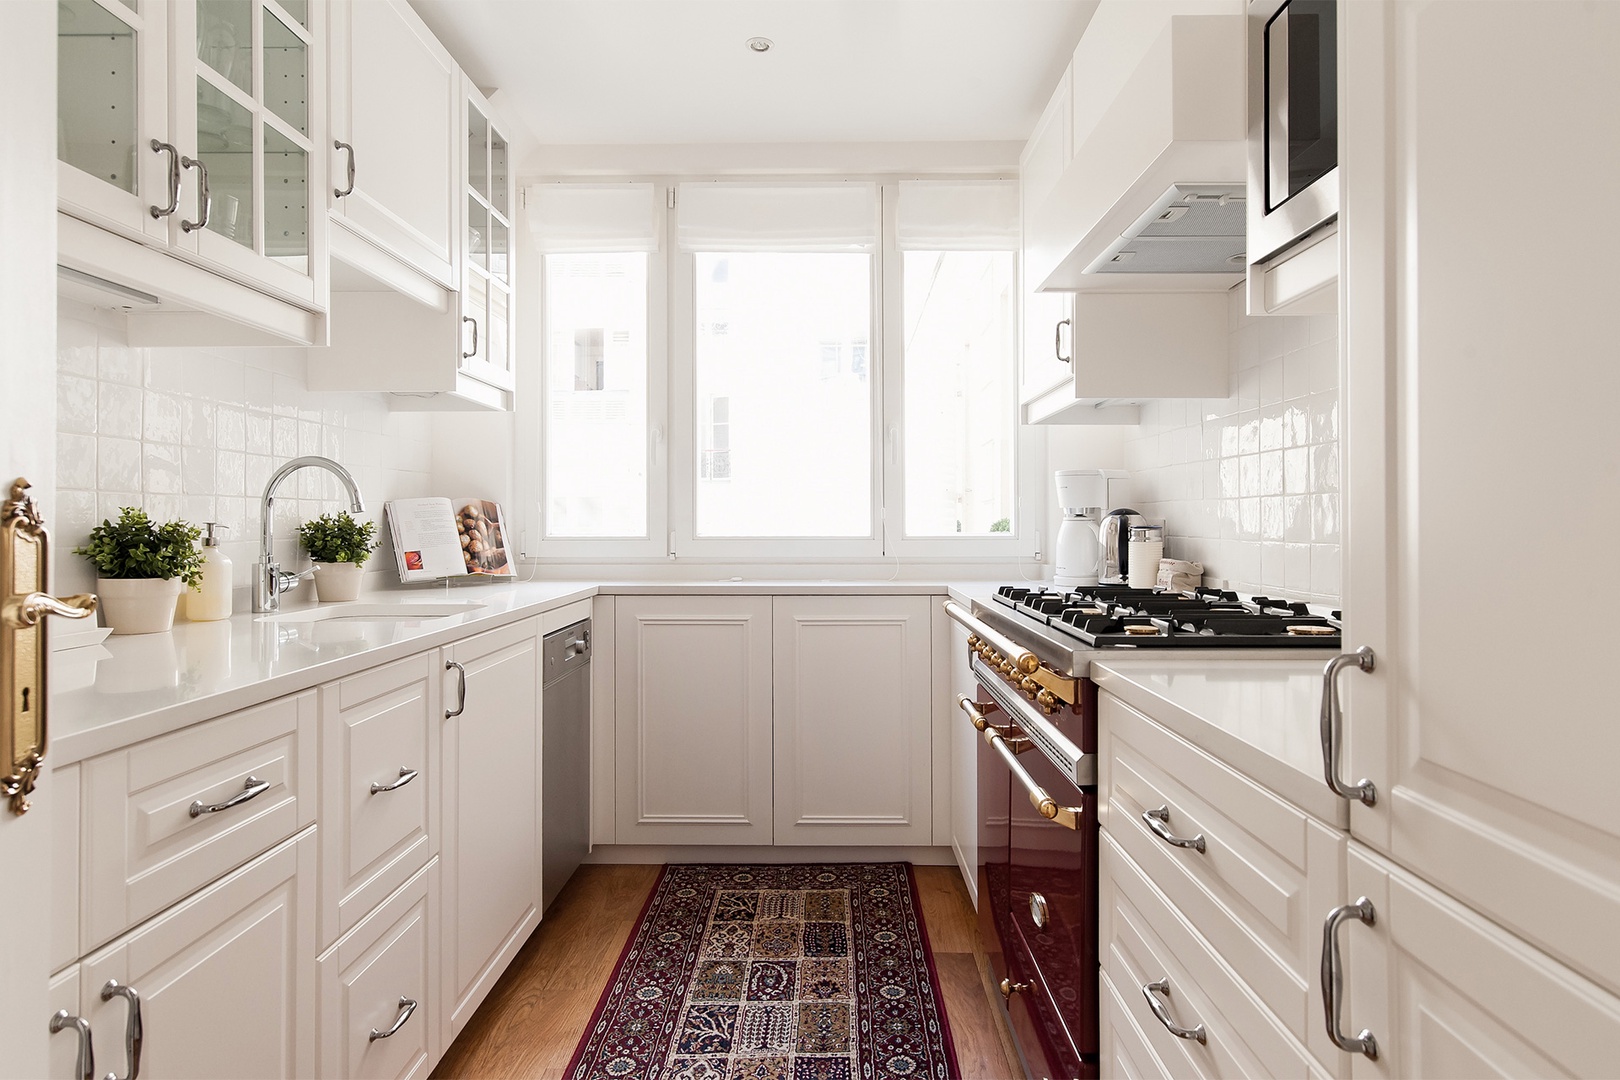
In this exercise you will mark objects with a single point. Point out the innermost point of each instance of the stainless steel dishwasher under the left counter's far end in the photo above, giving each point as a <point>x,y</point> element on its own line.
<point>566,755</point>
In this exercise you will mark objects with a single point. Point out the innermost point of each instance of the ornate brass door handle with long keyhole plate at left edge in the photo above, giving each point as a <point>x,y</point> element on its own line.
<point>25,561</point>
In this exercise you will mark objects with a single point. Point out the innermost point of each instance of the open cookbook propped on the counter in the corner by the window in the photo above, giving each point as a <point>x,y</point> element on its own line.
<point>448,538</point>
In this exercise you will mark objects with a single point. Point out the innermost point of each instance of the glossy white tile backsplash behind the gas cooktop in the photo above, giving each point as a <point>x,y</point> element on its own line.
<point>1248,485</point>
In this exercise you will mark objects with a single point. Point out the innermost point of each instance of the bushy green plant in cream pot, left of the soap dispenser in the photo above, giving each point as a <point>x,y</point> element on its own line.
<point>140,569</point>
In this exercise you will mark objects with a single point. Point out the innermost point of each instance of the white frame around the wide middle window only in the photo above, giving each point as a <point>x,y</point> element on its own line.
<point>686,425</point>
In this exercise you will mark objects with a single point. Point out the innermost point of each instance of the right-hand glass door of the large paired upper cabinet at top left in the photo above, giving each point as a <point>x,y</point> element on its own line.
<point>247,106</point>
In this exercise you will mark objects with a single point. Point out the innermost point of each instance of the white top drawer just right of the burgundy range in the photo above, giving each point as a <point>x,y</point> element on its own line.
<point>1256,890</point>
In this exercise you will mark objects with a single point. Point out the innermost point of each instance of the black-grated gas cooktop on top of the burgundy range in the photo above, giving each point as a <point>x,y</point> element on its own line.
<point>1153,619</point>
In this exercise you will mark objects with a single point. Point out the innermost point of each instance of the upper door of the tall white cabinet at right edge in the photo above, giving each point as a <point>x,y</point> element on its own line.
<point>1480,365</point>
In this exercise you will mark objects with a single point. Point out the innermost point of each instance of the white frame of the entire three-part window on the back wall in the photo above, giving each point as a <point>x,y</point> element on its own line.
<point>675,425</point>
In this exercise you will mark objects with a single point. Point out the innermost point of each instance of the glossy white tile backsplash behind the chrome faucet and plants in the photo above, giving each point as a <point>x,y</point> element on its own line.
<point>197,433</point>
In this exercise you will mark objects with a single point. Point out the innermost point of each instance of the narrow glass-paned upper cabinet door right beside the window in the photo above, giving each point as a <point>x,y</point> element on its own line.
<point>487,281</point>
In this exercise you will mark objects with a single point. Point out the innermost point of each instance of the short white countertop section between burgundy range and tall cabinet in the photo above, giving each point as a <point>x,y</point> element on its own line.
<point>1260,716</point>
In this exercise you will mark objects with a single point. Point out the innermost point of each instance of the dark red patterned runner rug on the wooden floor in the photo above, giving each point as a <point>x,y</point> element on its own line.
<point>774,974</point>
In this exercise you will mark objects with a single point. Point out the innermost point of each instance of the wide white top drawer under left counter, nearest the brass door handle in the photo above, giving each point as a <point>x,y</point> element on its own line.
<point>143,849</point>
